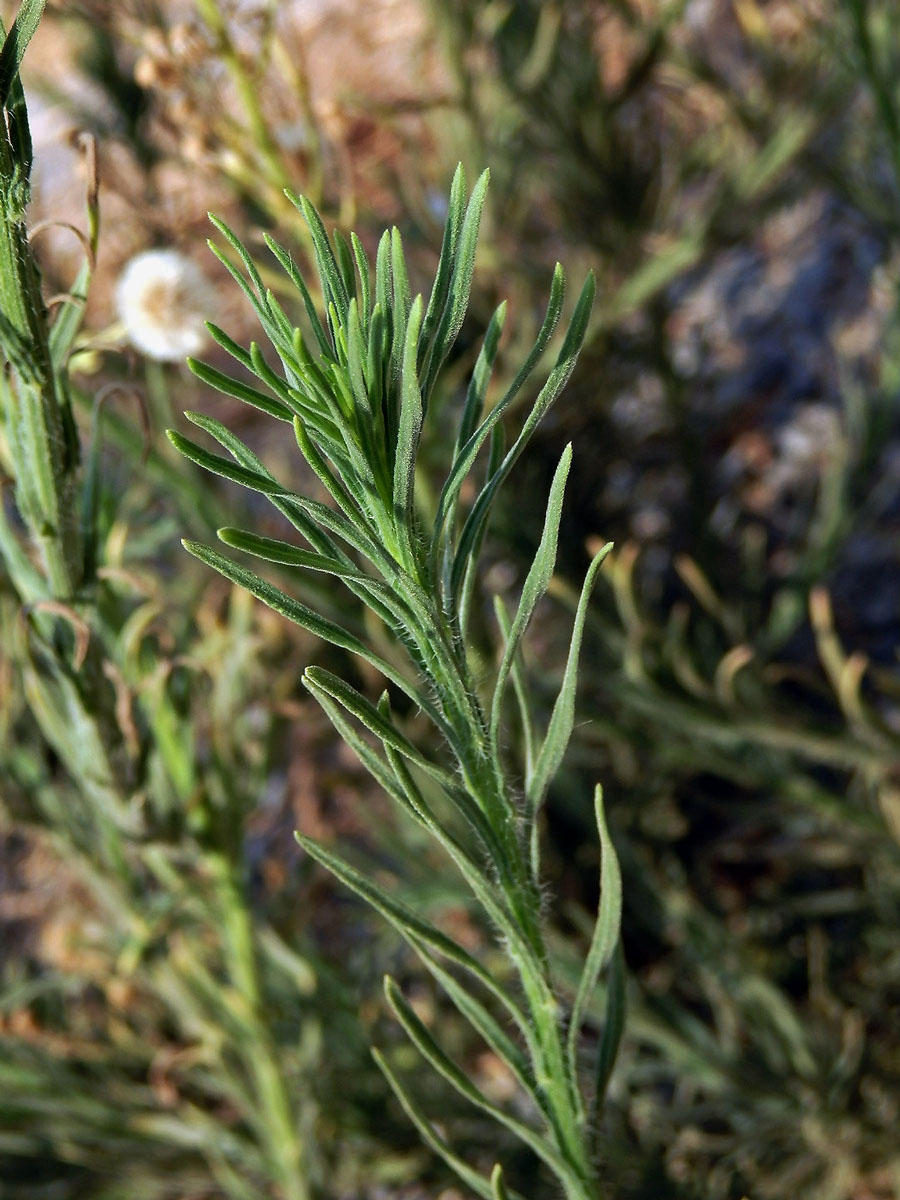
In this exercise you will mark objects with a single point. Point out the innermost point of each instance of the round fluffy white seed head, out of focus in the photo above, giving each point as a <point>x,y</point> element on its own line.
<point>164,299</point>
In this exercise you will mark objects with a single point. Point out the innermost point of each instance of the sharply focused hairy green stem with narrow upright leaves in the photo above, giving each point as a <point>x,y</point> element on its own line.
<point>357,388</point>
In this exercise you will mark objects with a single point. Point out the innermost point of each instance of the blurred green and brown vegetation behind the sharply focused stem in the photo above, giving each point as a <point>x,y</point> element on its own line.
<point>188,1001</point>
